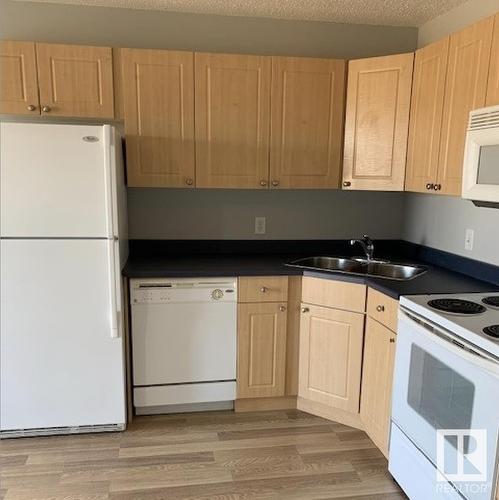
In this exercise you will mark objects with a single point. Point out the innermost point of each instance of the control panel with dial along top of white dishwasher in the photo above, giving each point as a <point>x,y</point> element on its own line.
<point>164,291</point>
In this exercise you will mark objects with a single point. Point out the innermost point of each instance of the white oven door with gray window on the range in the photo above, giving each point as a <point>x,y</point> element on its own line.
<point>441,383</point>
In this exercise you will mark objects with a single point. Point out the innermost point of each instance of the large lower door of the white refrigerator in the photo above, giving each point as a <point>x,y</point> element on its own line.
<point>61,362</point>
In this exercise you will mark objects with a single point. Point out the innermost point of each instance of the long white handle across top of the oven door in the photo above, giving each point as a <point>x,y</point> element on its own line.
<point>456,346</point>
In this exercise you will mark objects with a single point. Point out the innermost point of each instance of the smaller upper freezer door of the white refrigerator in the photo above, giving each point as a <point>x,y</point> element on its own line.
<point>57,181</point>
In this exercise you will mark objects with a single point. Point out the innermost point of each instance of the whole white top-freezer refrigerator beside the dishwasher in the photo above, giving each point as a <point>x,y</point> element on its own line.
<point>63,242</point>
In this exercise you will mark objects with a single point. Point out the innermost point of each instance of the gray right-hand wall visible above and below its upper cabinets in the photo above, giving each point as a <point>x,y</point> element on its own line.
<point>441,221</point>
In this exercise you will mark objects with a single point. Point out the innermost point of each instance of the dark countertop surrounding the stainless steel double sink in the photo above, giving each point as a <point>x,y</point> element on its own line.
<point>437,279</point>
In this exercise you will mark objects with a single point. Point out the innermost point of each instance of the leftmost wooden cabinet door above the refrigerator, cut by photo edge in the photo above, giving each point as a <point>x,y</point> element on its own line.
<point>18,80</point>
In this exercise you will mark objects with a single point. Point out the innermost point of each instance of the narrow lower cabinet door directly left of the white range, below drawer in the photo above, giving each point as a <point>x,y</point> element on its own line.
<point>377,376</point>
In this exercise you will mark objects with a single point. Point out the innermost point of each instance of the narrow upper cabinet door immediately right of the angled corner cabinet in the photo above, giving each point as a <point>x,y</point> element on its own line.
<point>430,67</point>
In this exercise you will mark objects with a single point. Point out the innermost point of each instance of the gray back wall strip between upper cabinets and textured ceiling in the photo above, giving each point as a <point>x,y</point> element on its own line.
<point>159,29</point>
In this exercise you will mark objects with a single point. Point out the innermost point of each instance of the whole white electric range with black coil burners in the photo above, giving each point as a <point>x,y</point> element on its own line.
<point>445,407</point>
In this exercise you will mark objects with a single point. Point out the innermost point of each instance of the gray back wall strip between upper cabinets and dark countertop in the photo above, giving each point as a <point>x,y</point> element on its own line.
<point>291,214</point>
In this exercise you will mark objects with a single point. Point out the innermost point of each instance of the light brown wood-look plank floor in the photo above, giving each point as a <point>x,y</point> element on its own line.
<point>212,455</point>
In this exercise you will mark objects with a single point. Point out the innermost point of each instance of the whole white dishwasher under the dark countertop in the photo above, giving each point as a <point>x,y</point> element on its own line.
<point>183,343</point>
